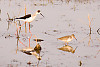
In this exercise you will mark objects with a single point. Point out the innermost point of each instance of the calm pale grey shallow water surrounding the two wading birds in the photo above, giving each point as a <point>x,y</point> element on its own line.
<point>61,19</point>
